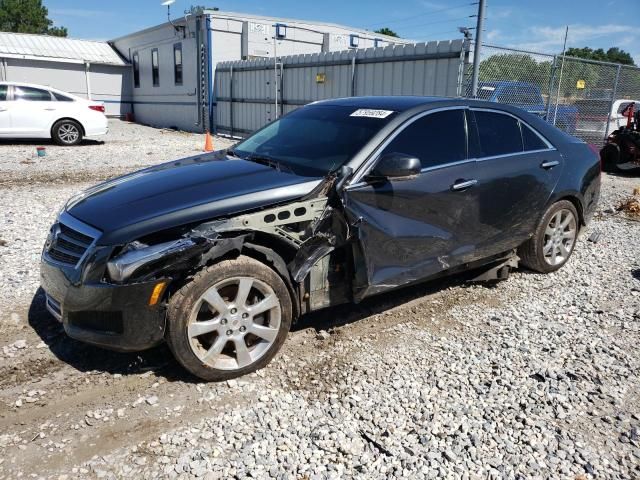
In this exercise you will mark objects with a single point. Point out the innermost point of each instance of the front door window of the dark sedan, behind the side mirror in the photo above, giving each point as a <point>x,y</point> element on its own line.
<point>435,139</point>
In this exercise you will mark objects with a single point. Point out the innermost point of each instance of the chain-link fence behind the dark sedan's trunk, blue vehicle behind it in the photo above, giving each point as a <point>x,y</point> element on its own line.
<point>585,98</point>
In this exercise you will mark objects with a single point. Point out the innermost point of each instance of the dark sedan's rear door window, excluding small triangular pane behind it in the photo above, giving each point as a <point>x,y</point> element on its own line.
<point>499,134</point>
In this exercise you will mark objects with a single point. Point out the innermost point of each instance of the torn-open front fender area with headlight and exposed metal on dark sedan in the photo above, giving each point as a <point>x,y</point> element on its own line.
<point>304,241</point>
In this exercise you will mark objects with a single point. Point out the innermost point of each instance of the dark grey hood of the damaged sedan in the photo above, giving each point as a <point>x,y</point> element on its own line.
<point>180,192</point>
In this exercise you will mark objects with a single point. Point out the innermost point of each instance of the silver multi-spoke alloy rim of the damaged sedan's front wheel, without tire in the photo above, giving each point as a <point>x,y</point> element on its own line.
<point>234,323</point>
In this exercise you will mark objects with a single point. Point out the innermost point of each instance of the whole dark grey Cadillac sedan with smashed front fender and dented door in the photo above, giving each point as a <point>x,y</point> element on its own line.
<point>342,199</point>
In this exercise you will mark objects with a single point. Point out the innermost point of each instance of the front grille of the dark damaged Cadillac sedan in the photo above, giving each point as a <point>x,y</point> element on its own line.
<point>69,240</point>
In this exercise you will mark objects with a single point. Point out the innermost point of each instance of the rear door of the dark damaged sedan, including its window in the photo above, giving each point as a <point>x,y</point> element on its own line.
<point>517,170</point>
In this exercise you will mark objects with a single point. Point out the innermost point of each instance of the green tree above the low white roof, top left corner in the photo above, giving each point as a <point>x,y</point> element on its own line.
<point>27,16</point>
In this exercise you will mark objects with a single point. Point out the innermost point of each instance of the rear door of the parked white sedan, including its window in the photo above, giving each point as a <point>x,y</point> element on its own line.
<point>32,111</point>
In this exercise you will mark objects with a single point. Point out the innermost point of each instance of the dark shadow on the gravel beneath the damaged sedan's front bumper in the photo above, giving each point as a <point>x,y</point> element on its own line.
<point>85,358</point>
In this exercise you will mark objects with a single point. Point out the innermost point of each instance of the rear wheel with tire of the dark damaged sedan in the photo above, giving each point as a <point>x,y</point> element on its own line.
<point>553,241</point>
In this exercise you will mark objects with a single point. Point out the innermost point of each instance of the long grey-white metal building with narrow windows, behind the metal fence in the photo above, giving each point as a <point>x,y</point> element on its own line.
<point>174,63</point>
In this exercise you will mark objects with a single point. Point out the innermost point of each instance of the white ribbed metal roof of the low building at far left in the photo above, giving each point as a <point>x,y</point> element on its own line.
<point>57,49</point>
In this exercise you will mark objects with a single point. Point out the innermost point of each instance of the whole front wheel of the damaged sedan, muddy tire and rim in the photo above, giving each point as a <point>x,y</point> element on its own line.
<point>230,320</point>
